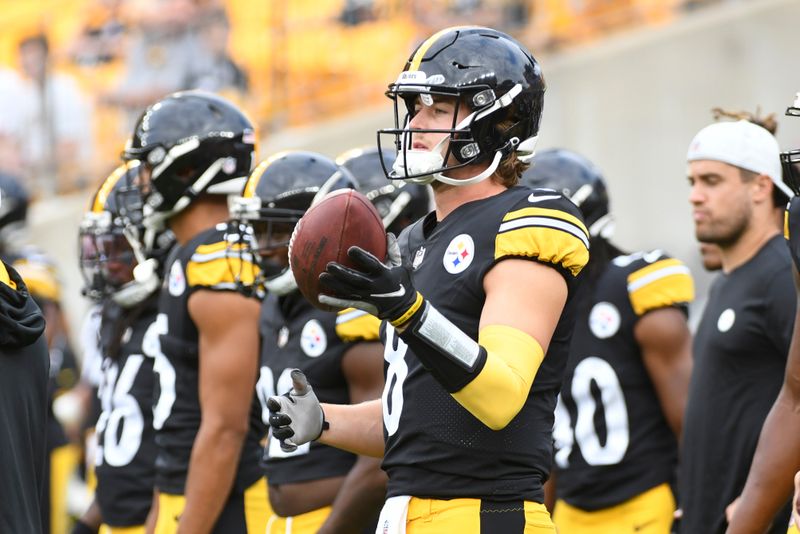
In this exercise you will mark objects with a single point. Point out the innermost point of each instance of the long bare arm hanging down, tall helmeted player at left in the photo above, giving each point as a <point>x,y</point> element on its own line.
<point>227,324</point>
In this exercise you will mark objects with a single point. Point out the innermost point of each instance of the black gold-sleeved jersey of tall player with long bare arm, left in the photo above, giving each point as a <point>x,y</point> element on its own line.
<point>200,264</point>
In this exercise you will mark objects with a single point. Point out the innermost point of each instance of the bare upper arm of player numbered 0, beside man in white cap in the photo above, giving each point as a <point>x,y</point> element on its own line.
<point>666,345</point>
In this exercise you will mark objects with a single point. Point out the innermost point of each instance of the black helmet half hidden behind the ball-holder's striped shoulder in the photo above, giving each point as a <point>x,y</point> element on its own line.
<point>579,180</point>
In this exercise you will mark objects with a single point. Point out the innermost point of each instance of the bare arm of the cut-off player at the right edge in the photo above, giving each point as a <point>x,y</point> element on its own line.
<point>777,455</point>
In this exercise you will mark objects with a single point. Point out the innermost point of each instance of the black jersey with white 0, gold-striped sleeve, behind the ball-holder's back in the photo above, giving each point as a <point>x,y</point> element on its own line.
<point>612,439</point>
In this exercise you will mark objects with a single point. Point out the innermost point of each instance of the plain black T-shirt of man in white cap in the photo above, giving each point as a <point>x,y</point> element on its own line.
<point>740,351</point>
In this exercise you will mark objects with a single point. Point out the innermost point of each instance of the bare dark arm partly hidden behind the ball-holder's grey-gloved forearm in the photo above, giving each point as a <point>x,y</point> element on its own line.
<point>362,492</point>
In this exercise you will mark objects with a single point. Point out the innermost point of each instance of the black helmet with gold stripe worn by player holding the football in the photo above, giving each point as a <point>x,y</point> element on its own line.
<point>487,71</point>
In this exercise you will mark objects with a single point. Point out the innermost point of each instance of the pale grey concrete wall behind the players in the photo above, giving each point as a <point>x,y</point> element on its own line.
<point>631,103</point>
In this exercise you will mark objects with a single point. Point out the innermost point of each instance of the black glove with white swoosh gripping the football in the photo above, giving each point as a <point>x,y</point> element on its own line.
<point>383,290</point>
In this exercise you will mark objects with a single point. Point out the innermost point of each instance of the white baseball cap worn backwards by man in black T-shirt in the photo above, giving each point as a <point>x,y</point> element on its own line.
<point>741,144</point>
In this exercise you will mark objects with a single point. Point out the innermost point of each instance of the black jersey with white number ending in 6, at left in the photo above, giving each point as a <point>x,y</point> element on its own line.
<point>126,449</point>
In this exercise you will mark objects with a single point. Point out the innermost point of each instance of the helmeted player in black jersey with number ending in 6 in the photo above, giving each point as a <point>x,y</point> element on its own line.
<point>126,450</point>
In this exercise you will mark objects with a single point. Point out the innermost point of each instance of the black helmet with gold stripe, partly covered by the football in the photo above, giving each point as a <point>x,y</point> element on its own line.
<point>276,195</point>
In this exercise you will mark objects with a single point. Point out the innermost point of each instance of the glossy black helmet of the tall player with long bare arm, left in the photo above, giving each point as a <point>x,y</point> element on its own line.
<point>189,143</point>
